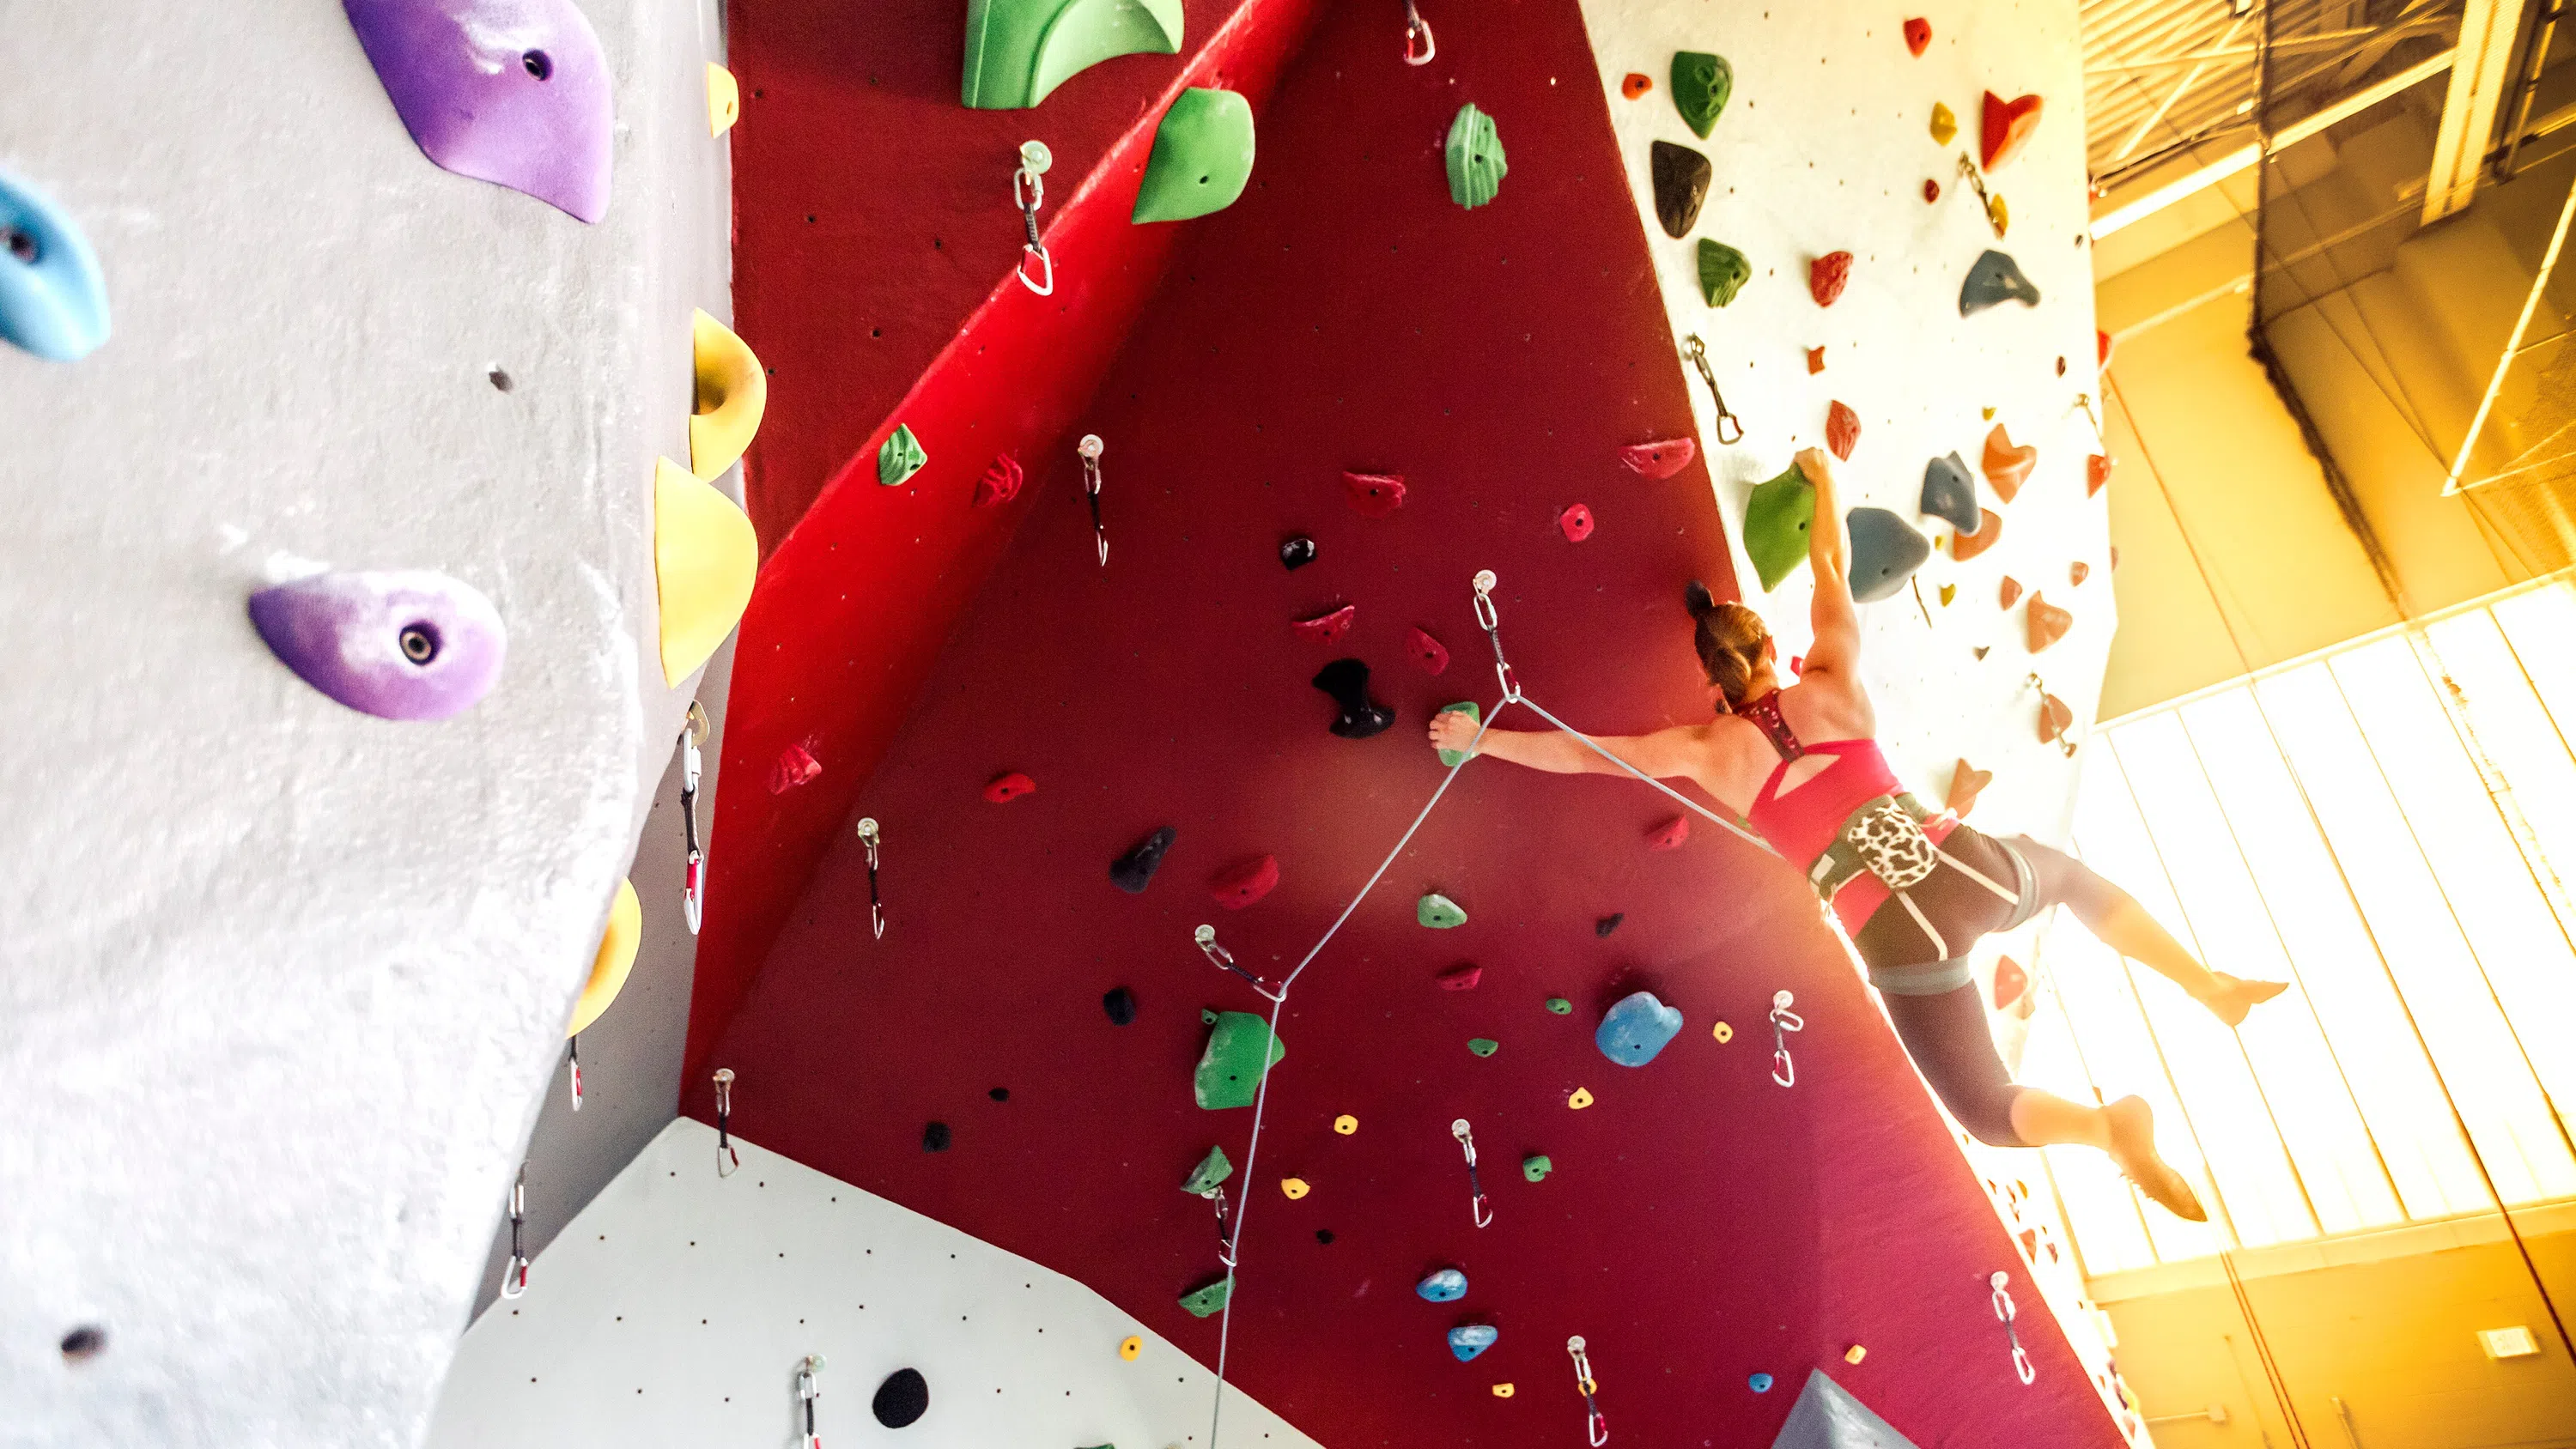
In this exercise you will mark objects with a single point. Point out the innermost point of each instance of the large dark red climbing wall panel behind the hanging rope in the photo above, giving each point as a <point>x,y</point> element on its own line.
<point>1701,1224</point>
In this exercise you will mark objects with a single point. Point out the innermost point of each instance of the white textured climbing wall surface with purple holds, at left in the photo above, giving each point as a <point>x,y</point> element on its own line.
<point>279,982</point>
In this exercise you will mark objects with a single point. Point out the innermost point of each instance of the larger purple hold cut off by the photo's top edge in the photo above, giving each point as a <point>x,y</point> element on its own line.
<point>506,91</point>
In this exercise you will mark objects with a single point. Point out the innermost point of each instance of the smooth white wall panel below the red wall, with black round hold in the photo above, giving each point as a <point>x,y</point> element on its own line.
<point>679,1306</point>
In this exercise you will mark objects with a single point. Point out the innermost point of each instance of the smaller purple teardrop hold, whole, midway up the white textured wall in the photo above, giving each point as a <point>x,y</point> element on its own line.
<point>401,645</point>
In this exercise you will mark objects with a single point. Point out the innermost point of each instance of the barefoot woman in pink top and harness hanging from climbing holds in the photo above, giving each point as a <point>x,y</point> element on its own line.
<point>1910,889</point>
